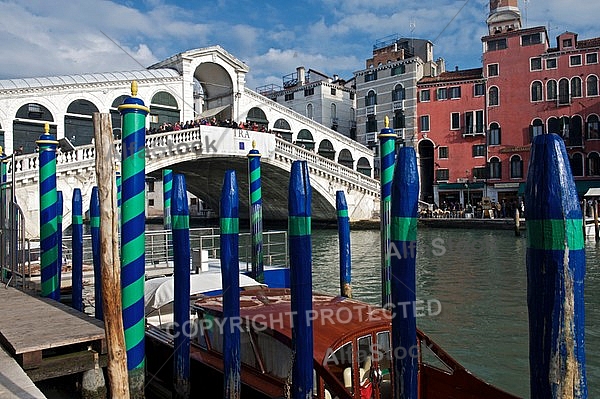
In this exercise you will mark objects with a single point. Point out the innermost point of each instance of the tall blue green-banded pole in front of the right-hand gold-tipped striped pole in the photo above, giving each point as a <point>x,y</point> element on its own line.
<point>403,255</point>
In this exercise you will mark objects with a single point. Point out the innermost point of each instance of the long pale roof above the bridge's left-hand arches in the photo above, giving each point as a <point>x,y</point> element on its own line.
<point>30,83</point>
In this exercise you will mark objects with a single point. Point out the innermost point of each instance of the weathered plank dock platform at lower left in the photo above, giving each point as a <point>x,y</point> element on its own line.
<point>49,339</point>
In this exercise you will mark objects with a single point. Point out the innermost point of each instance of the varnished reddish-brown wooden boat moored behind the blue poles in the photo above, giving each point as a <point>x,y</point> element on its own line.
<point>351,351</point>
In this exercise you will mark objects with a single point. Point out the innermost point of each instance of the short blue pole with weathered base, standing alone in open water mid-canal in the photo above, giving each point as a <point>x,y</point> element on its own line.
<point>344,243</point>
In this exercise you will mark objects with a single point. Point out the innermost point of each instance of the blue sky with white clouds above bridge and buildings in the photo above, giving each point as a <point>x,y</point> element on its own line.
<point>273,37</point>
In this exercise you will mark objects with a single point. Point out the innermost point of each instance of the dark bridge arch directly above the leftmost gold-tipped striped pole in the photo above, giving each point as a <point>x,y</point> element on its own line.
<point>30,126</point>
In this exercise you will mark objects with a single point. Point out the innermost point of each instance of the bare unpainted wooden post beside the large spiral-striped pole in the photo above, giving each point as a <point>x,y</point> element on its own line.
<point>111,267</point>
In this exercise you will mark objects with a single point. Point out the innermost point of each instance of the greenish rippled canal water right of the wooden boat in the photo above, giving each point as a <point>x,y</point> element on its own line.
<point>479,278</point>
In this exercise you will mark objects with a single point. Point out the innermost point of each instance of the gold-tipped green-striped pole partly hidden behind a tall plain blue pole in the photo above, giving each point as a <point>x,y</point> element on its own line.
<point>387,145</point>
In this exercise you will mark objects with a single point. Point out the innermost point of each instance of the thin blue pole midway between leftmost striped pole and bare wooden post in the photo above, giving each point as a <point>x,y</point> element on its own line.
<point>77,250</point>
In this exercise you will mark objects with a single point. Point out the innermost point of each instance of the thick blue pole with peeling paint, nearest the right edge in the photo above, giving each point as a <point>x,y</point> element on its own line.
<point>555,274</point>
